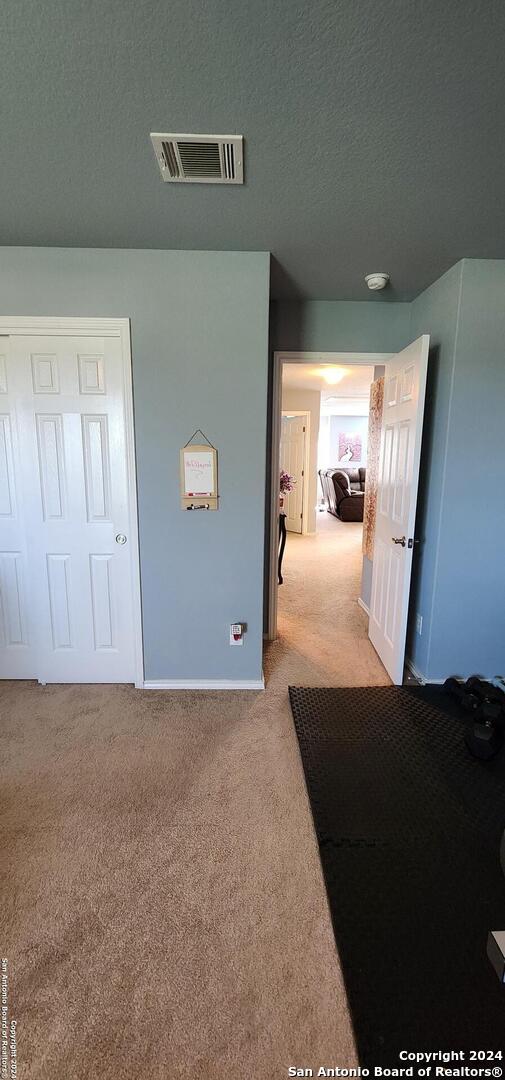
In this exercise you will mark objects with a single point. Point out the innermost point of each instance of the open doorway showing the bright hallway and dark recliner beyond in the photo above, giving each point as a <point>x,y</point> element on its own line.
<point>323,440</point>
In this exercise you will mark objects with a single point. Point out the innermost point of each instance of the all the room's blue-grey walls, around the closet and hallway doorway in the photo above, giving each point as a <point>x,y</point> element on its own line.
<point>200,355</point>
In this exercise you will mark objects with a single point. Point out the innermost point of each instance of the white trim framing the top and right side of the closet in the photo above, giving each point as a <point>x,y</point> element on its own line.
<point>40,326</point>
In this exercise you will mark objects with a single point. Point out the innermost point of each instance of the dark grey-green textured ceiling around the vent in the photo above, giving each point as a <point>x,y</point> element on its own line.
<point>375,132</point>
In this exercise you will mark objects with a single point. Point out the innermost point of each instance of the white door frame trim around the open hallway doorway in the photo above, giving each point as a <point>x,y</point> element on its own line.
<point>280,358</point>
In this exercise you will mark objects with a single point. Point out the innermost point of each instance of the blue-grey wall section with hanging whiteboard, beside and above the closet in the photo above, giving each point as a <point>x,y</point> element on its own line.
<point>200,360</point>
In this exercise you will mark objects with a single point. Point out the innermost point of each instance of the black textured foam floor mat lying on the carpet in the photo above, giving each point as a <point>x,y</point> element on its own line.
<point>410,827</point>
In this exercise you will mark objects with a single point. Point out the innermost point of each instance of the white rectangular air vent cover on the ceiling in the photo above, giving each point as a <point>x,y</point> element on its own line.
<point>200,159</point>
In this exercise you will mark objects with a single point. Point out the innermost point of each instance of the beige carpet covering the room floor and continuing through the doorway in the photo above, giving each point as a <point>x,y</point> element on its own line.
<point>162,904</point>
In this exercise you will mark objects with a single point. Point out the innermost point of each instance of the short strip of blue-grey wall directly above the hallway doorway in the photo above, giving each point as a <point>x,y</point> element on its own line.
<point>340,326</point>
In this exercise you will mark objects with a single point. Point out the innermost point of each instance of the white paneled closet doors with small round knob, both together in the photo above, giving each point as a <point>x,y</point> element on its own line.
<point>76,586</point>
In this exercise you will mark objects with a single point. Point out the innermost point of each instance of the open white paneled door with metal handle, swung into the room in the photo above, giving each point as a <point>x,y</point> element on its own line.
<point>397,501</point>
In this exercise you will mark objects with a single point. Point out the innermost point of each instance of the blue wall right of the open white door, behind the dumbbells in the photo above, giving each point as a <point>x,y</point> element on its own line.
<point>460,587</point>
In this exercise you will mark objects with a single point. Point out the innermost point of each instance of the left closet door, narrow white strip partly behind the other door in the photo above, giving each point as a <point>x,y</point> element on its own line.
<point>17,647</point>
